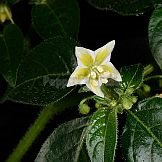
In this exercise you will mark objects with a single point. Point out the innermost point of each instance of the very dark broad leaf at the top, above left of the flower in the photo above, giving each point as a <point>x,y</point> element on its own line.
<point>56,17</point>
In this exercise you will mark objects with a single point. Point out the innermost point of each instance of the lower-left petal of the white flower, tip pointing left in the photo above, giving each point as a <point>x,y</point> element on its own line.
<point>79,76</point>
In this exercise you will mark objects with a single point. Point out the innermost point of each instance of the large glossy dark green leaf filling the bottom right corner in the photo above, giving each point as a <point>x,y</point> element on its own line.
<point>142,136</point>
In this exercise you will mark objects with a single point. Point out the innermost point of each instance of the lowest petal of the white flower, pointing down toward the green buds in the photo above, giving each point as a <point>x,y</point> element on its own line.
<point>96,89</point>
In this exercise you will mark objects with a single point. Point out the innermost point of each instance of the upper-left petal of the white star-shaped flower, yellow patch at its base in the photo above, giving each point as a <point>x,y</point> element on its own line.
<point>85,57</point>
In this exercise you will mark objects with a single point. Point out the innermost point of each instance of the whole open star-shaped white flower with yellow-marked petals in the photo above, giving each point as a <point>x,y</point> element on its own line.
<point>94,68</point>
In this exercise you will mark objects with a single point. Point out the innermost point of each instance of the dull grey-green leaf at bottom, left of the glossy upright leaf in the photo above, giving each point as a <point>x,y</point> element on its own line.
<point>65,143</point>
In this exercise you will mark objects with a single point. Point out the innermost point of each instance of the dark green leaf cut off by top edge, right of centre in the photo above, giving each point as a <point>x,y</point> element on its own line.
<point>125,7</point>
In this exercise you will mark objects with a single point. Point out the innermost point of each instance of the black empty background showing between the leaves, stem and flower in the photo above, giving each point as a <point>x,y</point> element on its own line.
<point>96,29</point>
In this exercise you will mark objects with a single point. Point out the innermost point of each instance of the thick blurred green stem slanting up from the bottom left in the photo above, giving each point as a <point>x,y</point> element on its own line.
<point>33,132</point>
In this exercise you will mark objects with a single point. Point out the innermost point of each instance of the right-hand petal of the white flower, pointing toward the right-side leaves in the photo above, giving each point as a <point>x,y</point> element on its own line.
<point>114,73</point>
